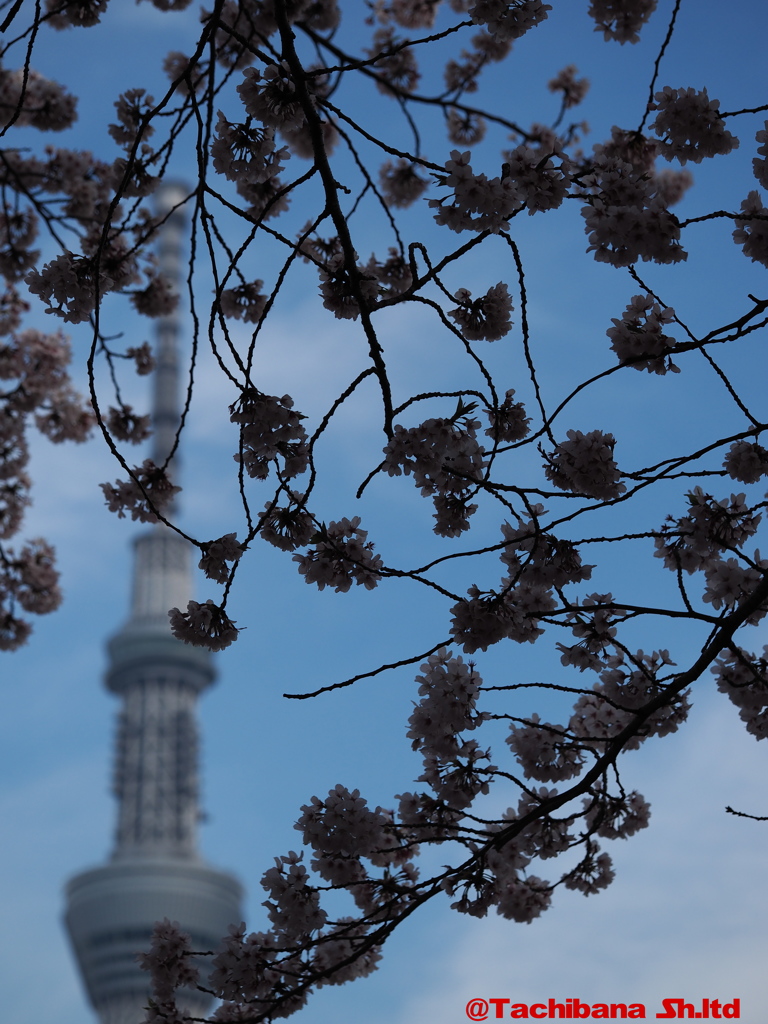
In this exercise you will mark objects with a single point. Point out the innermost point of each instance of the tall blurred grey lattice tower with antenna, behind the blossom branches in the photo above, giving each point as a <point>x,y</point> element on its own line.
<point>155,871</point>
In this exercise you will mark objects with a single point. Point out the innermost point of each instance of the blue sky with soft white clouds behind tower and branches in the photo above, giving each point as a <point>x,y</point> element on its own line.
<point>687,914</point>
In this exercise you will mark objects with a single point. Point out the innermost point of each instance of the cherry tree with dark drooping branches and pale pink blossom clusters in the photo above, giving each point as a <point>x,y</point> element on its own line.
<point>267,108</point>
